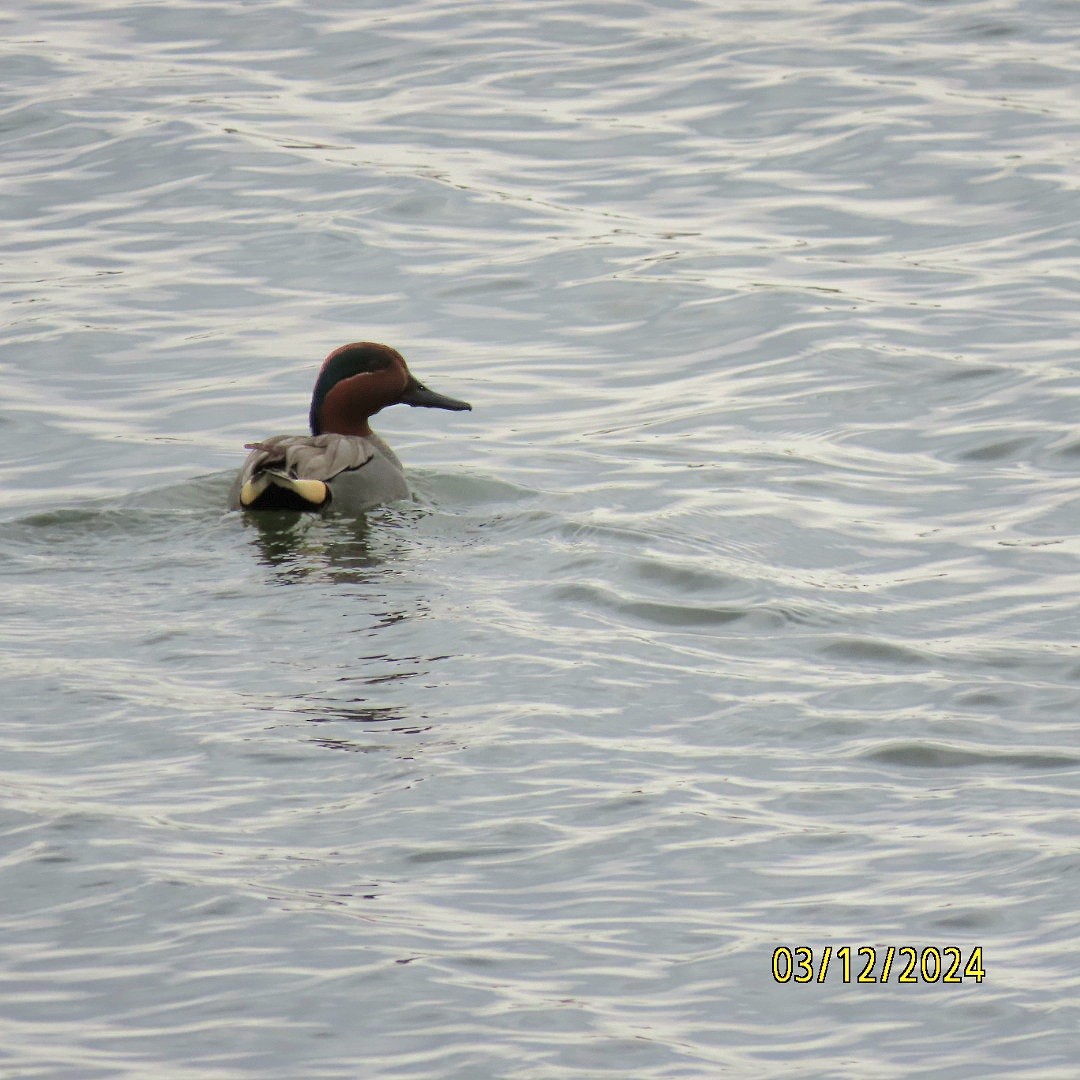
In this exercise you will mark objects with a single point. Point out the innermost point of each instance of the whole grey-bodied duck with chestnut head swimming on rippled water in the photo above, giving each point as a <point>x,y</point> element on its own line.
<point>343,464</point>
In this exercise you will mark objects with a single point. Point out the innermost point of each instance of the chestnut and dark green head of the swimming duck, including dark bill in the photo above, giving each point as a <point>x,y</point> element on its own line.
<point>358,381</point>
